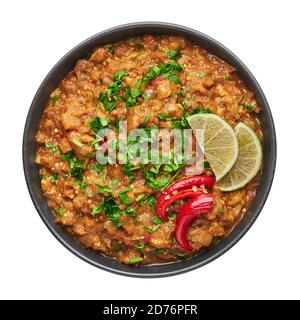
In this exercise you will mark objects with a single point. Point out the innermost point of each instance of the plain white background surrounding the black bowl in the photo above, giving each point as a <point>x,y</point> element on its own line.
<point>36,34</point>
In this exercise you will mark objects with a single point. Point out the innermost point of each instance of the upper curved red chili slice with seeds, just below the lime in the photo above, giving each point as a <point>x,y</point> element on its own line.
<point>207,181</point>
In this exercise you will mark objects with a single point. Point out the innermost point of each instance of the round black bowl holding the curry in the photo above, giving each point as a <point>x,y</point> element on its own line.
<point>52,80</point>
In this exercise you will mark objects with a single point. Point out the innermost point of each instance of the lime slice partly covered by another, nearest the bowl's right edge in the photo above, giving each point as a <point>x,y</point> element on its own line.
<point>248,162</point>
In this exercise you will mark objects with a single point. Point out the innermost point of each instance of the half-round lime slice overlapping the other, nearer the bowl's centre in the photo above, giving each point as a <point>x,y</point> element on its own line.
<point>217,140</point>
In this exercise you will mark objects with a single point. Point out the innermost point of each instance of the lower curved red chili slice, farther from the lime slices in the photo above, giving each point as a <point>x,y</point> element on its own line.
<point>192,209</point>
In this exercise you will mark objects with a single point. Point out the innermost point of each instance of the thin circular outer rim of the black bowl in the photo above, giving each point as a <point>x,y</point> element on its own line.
<point>271,168</point>
